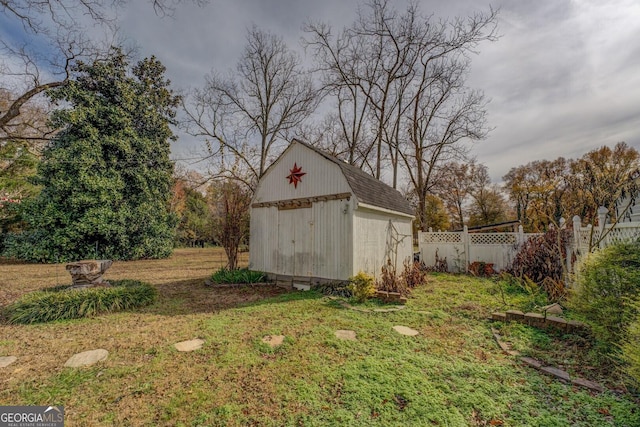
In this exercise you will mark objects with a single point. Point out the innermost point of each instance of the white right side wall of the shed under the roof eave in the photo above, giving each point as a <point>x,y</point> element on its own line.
<point>372,232</point>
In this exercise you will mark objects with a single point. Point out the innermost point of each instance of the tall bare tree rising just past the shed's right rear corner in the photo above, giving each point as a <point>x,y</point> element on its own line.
<point>444,113</point>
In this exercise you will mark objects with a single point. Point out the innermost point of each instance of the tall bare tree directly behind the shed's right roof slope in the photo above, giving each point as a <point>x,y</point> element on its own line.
<point>366,69</point>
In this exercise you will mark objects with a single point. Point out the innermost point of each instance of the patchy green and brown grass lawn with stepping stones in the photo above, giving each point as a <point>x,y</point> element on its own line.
<point>451,374</point>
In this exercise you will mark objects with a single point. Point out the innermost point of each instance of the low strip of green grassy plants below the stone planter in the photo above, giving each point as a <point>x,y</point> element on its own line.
<point>60,303</point>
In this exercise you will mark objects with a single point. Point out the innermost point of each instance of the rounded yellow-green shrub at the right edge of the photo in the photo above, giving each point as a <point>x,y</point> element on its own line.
<point>606,282</point>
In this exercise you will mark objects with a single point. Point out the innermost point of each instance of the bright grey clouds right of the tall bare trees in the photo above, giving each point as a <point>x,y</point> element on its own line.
<point>563,80</point>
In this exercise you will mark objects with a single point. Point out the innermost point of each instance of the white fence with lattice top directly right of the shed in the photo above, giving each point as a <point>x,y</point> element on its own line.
<point>460,249</point>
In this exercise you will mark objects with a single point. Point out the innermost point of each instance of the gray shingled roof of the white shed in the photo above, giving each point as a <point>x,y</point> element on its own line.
<point>366,188</point>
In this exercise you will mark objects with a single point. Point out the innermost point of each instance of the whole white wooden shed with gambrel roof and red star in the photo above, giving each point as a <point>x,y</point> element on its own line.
<point>316,219</point>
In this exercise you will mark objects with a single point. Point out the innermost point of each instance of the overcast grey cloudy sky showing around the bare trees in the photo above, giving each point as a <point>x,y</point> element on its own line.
<point>564,77</point>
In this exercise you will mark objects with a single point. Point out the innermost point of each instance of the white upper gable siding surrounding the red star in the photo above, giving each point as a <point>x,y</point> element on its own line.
<point>322,177</point>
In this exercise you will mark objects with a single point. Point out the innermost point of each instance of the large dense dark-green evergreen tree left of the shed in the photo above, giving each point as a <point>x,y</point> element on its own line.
<point>107,176</point>
